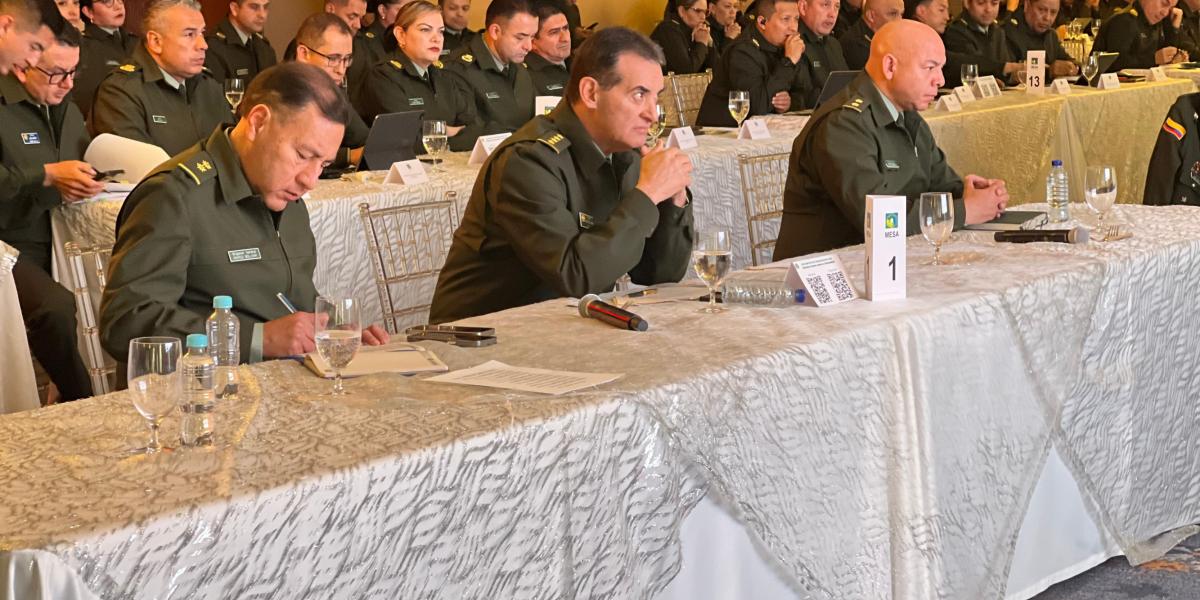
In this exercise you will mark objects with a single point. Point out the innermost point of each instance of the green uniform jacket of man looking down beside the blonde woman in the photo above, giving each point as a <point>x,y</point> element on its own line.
<point>503,100</point>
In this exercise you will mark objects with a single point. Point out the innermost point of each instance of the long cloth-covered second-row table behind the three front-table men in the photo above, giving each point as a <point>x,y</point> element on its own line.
<point>1013,137</point>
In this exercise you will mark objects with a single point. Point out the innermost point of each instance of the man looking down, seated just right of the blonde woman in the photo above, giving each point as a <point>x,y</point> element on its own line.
<point>491,68</point>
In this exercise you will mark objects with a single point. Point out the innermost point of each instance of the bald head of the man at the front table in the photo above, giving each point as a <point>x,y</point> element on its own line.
<point>907,64</point>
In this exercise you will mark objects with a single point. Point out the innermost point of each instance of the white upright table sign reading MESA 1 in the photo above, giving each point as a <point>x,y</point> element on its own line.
<point>887,251</point>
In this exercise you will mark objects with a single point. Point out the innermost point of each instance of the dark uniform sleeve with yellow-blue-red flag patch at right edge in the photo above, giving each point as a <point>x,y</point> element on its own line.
<point>1174,175</point>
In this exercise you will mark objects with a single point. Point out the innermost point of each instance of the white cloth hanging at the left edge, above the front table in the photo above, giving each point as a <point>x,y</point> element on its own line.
<point>19,388</point>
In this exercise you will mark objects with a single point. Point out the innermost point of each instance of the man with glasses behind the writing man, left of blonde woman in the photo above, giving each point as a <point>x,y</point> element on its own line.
<point>327,43</point>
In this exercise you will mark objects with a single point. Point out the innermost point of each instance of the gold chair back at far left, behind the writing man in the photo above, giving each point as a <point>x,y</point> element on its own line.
<point>87,277</point>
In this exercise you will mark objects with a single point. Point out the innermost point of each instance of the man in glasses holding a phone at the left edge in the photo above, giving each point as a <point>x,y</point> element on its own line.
<point>43,140</point>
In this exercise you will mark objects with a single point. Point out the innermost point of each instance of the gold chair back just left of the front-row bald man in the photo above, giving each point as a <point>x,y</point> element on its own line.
<point>763,189</point>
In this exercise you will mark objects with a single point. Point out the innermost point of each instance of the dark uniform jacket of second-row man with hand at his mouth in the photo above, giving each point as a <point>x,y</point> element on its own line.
<point>754,65</point>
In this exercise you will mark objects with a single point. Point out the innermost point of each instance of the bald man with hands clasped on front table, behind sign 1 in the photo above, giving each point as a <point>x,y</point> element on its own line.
<point>871,140</point>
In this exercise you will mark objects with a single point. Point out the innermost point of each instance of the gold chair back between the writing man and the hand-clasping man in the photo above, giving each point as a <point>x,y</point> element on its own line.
<point>409,245</point>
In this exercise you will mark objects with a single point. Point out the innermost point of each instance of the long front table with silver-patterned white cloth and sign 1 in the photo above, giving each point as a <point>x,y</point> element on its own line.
<point>872,449</point>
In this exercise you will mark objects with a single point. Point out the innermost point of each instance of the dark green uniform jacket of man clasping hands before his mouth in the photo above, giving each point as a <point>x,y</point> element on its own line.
<point>551,218</point>
